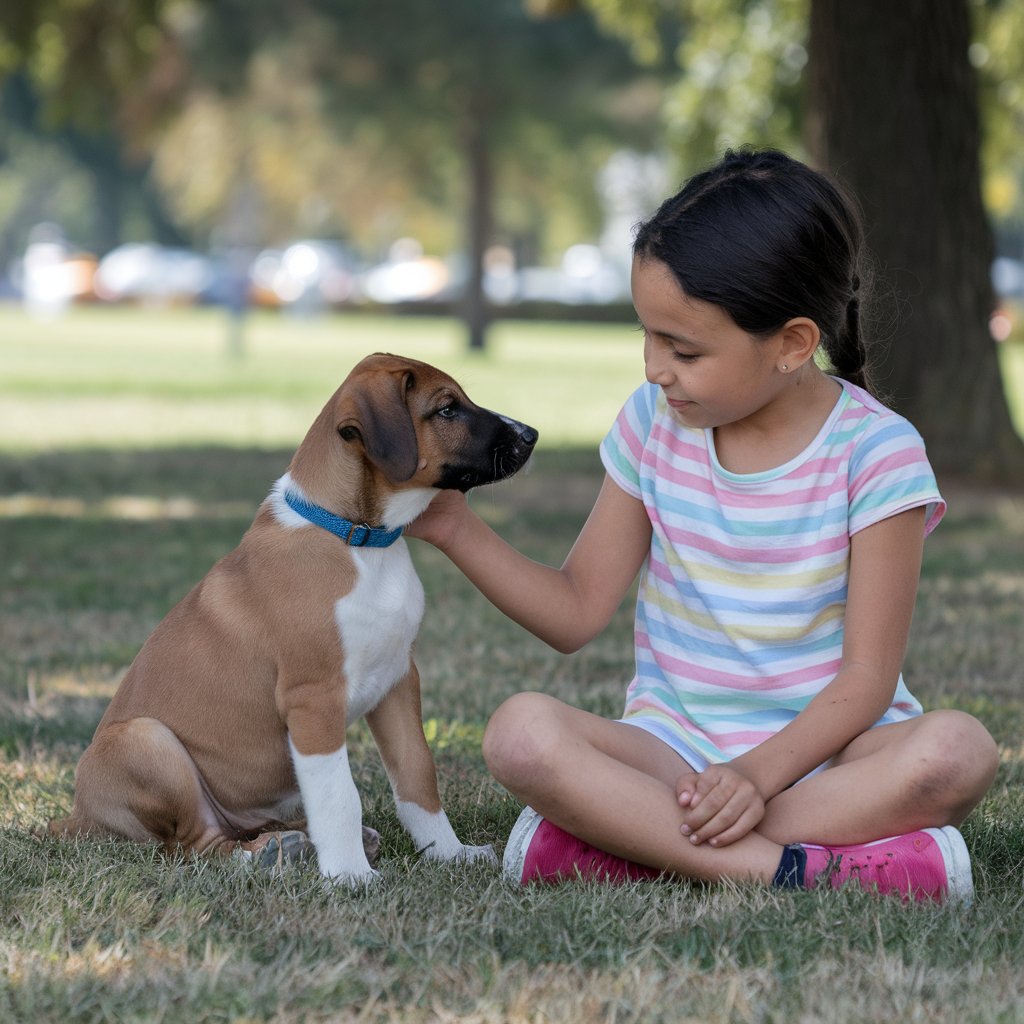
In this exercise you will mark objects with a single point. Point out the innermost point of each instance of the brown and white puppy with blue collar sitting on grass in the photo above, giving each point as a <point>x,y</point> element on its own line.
<point>232,719</point>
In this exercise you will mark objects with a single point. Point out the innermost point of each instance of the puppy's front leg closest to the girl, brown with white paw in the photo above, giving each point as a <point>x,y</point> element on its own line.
<point>397,724</point>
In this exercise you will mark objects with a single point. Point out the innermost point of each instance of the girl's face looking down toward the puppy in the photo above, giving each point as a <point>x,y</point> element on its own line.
<point>711,371</point>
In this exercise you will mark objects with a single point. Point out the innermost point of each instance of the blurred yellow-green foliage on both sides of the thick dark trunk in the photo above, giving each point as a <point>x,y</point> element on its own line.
<point>742,79</point>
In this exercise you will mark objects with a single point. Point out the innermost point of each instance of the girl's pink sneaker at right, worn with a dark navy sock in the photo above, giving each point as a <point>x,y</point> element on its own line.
<point>931,865</point>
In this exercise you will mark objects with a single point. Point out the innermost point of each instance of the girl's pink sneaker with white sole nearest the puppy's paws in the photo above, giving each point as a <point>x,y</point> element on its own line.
<point>539,851</point>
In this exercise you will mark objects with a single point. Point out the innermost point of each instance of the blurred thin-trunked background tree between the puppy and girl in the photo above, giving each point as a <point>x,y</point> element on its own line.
<point>491,90</point>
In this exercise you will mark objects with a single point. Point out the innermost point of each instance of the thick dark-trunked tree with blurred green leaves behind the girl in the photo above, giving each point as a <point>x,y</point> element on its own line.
<point>890,104</point>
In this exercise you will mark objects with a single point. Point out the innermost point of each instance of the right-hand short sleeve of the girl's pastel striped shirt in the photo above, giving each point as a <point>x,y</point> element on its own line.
<point>890,474</point>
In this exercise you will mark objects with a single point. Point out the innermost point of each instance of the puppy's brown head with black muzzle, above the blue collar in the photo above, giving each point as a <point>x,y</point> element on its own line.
<point>409,425</point>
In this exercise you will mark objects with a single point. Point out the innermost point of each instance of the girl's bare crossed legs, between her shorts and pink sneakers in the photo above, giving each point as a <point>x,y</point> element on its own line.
<point>613,786</point>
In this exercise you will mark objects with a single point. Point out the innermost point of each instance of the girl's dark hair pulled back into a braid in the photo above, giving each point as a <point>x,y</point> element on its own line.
<point>767,239</point>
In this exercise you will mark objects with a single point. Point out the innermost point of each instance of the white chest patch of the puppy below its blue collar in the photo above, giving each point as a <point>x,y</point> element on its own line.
<point>378,621</point>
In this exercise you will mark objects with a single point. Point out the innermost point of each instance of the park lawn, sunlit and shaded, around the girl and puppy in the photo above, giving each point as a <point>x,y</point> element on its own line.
<point>133,454</point>
